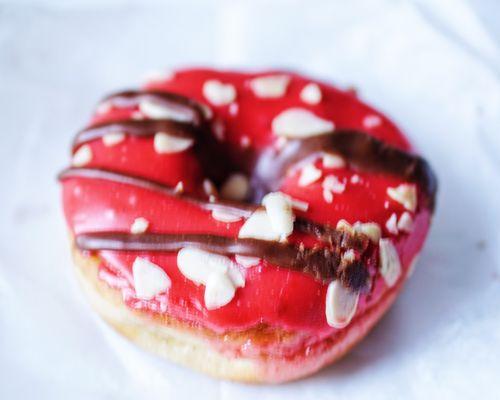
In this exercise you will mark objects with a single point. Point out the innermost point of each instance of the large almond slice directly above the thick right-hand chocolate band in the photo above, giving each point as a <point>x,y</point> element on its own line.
<point>298,123</point>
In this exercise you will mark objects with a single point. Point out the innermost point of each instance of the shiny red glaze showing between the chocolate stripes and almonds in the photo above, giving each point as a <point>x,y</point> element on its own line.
<point>278,297</point>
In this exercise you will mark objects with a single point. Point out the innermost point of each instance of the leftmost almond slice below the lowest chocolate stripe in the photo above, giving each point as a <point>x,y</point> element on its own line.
<point>149,279</point>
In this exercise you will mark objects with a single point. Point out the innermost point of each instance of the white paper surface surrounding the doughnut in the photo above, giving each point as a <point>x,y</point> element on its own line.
<point>433,66</point>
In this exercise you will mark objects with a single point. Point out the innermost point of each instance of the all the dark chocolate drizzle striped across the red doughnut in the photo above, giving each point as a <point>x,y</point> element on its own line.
<point>184,117</point>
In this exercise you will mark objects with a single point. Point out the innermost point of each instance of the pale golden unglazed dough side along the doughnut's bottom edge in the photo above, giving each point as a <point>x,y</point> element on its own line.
<point>202,350</point>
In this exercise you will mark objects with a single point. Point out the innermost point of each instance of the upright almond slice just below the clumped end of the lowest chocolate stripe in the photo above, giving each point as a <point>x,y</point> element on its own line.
<point>341,304</point>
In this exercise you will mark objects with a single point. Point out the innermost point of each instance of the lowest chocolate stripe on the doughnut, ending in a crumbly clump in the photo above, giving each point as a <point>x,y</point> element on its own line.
<point>321,263</point>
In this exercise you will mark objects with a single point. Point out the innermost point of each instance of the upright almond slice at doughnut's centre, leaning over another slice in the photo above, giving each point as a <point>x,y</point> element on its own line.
<point>279,210</point>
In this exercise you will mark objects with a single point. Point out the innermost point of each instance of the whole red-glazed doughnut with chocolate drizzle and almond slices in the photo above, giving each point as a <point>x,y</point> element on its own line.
<point>251,226</point>
